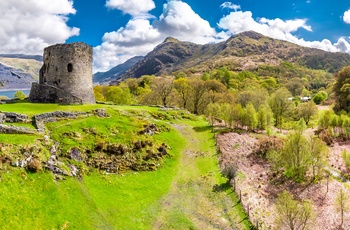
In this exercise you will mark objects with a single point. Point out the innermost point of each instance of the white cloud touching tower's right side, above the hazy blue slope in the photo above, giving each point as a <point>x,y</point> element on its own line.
<point>138,37</point>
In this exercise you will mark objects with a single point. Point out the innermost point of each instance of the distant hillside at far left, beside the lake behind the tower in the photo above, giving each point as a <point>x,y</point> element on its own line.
<point>18,71</point>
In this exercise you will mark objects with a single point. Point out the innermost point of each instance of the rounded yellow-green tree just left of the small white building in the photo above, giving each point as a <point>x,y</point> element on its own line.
<point>280,105</point>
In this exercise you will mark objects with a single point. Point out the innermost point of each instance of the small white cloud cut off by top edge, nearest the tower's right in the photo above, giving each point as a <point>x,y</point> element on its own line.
<point>132,7</point>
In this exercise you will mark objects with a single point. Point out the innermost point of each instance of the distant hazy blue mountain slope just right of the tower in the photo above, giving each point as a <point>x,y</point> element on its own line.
<point>115,72</point>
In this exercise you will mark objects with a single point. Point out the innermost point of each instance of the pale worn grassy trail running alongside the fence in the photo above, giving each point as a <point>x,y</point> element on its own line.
<point>199,198</point>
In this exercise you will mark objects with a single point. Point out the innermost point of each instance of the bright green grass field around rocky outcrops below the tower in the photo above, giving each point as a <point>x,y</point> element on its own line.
<point>132,200</point>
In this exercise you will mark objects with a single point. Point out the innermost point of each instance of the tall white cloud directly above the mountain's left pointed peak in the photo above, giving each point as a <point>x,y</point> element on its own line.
<point>180,21</point>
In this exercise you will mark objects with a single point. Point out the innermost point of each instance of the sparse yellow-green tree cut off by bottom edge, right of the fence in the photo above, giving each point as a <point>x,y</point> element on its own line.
<point>292,214</point>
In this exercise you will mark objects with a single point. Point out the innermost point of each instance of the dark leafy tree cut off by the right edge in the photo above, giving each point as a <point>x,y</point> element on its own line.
<point>341,90</point>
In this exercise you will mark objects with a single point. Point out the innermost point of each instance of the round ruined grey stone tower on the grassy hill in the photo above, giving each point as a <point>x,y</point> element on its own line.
<point>66,75</point>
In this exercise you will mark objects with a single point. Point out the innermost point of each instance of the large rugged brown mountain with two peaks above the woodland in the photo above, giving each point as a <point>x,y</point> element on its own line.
<point>244,51</point>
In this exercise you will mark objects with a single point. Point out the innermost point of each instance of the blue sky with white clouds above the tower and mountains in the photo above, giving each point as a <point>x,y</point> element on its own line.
<point>121,29</point>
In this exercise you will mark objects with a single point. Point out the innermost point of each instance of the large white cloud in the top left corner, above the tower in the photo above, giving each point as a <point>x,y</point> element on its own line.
<point>31,25</point>
